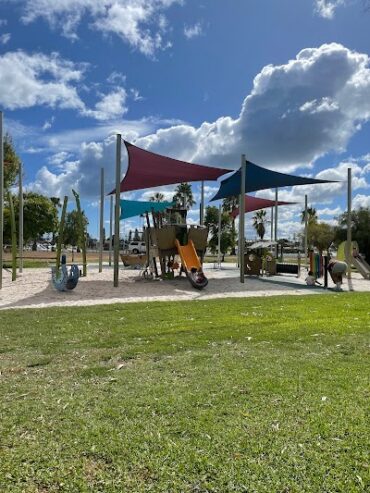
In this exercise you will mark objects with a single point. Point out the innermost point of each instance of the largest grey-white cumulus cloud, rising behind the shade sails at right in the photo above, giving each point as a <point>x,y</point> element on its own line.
<point>295,113</point>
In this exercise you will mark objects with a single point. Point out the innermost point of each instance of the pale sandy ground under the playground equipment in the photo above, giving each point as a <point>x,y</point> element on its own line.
<point>33,288</point>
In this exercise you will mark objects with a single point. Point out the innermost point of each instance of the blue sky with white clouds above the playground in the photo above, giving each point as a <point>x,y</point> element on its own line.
<point>286,82</point>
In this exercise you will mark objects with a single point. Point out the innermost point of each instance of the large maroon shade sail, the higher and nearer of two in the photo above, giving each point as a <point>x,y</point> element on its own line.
<point>147,169</point>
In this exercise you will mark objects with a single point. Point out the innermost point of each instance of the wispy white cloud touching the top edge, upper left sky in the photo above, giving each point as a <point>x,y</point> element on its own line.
<point>140,23</point>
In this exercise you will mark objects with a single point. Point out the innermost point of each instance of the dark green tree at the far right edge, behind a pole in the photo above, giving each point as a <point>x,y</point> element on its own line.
<point>360,220</point>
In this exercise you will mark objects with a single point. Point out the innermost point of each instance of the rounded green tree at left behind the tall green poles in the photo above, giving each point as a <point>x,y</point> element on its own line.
<point>40,216</point>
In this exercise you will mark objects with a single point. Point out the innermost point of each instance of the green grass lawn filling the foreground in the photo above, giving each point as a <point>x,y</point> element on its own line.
<point>238,395</point>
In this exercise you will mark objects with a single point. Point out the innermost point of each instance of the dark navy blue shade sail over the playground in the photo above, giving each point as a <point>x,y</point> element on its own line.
<point>258,178</point>
